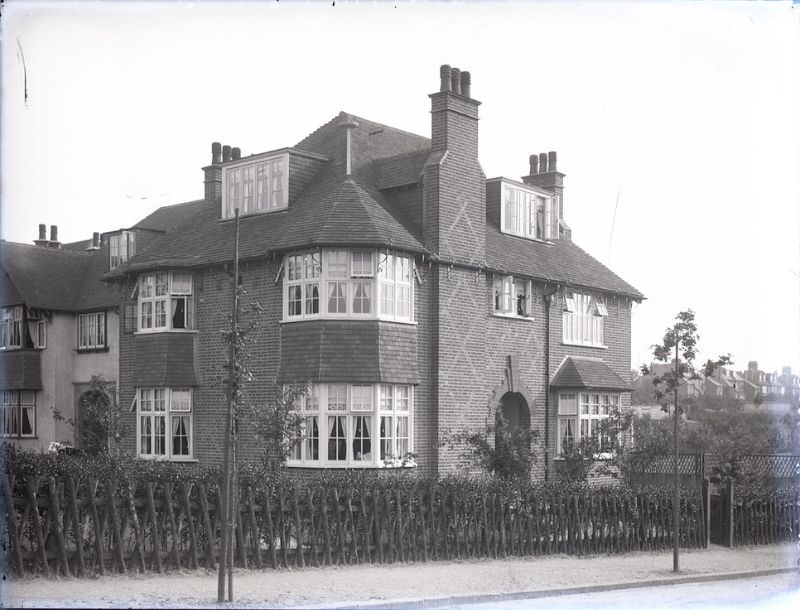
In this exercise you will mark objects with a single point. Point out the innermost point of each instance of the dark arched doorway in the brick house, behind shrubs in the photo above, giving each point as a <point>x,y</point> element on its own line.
<point>512,440</point>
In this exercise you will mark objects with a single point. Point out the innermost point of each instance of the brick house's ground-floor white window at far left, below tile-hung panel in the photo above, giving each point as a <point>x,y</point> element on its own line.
<point>164,423</point>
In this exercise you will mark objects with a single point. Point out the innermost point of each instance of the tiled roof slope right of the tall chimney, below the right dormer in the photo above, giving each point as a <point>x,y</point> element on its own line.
<point>562,262</point>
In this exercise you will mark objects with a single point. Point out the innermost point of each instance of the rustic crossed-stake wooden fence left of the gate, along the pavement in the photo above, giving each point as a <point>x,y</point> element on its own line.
<point>77,527</point>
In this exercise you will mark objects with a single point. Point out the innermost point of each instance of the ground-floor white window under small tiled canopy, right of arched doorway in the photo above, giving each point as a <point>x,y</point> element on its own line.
<point>581,415</point>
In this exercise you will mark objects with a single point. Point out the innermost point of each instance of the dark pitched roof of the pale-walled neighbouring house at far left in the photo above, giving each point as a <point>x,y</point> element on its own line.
<point>49,278</point>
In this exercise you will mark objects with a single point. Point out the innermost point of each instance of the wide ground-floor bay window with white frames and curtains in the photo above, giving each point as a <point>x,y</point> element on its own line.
<point>353,425</point>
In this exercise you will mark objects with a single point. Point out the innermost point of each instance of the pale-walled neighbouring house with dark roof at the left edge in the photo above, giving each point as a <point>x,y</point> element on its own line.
<point>59,329</point>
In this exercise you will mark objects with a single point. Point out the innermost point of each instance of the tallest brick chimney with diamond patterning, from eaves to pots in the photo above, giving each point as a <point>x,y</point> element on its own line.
<point>454,197</point>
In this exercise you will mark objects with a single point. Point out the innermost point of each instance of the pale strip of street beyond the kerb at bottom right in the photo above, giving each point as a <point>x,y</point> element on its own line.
<point>777,591</point>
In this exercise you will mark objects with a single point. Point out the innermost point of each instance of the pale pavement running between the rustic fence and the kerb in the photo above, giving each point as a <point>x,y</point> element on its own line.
<point>419,585</point>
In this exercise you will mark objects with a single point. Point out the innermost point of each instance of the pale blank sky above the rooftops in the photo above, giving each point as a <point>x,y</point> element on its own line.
<point>677,125</point>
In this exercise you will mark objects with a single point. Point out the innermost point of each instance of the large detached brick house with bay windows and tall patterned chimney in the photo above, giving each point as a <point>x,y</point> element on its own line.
<point>413,296</point>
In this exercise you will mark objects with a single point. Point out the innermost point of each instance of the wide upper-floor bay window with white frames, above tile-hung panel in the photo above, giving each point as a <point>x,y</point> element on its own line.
<point>344,283</point>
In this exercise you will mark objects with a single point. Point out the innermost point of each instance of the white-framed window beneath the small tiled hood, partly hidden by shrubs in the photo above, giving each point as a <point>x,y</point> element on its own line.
<point>584,410</point>
